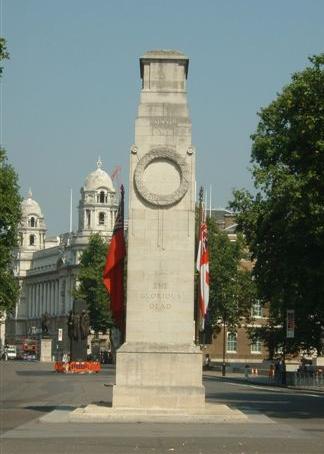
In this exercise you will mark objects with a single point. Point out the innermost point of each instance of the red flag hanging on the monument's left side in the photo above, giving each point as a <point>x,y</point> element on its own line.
<point>113,275</point>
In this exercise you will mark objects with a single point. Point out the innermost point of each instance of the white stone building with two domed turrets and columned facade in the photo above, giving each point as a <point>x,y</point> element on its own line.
<point>47,268</point>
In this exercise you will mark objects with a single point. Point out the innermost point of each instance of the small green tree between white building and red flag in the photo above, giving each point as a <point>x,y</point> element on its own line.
<point>91,288</point>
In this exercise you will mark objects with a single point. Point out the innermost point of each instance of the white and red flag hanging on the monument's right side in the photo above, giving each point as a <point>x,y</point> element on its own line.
<point>203,269</point>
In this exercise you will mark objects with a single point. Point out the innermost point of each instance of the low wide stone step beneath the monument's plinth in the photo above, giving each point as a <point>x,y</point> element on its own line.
<point>211,413</point>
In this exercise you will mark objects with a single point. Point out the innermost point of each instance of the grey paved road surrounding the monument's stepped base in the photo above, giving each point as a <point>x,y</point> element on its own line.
<point>280,420</point>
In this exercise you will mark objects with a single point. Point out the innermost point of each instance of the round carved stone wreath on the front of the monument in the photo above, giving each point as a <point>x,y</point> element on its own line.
<point>173,158</point>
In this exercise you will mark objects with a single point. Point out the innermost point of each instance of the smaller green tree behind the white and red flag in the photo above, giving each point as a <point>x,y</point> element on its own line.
<point>232,290</point>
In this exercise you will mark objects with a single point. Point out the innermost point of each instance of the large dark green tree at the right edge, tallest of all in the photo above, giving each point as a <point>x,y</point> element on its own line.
<point>283,221</point>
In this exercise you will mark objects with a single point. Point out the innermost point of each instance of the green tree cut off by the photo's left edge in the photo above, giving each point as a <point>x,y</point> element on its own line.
<point>10,215</point>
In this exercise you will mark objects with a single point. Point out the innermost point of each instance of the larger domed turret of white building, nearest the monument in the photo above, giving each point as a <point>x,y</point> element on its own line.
<point>98,204</point>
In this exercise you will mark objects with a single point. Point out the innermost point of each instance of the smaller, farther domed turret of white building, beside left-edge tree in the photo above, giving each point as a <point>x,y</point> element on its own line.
<point>32,228</point>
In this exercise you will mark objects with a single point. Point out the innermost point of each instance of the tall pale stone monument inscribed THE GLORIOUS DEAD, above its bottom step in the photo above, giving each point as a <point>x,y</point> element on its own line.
<point>159,366</point>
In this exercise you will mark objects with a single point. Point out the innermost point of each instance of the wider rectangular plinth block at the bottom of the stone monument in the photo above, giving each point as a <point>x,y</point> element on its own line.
<point>156,376</point>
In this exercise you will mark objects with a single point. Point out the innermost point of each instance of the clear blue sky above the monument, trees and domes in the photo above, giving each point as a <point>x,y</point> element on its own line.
<point>71,88</point>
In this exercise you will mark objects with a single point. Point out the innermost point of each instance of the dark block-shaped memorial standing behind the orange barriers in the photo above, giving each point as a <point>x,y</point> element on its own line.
<point>78,330</point>
